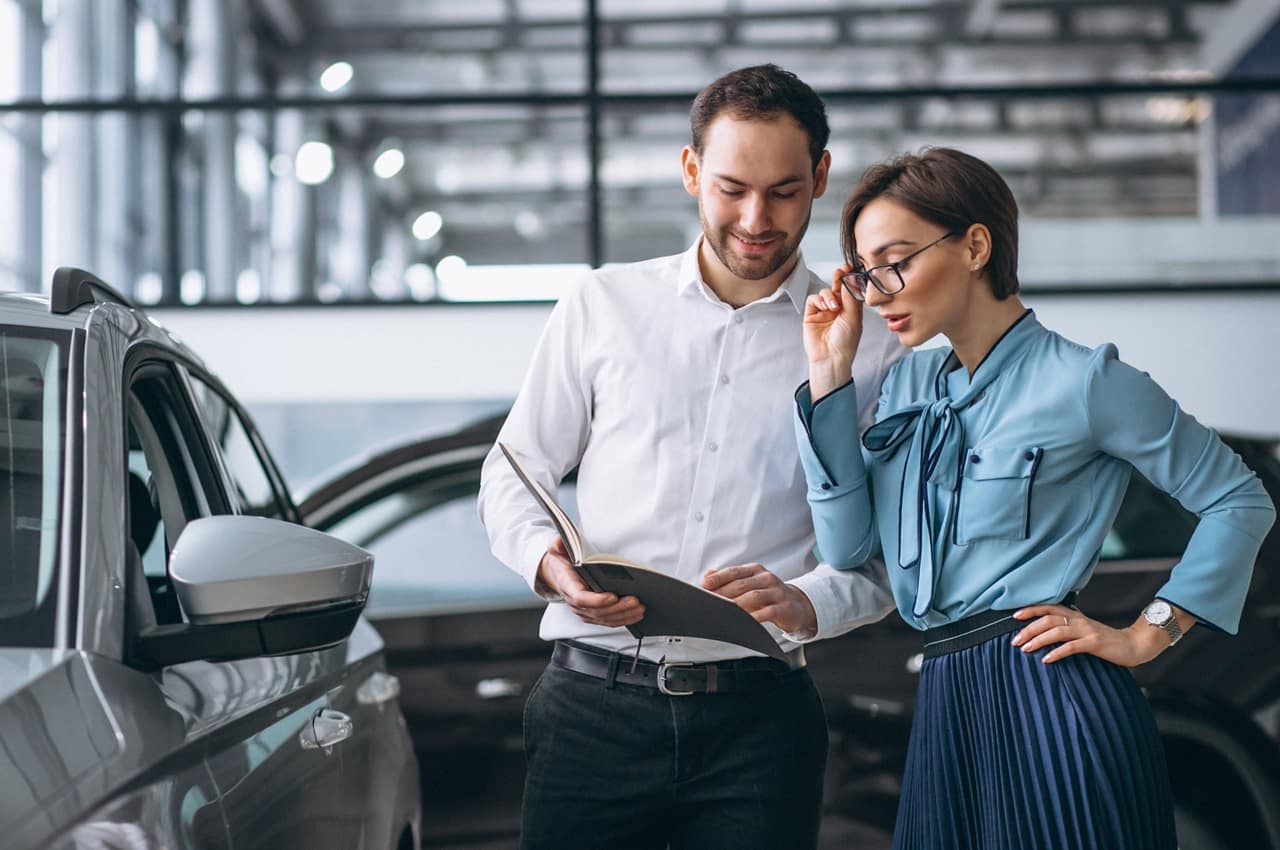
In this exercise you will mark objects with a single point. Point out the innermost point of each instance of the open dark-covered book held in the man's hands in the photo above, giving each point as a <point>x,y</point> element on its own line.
<point>673,607</point>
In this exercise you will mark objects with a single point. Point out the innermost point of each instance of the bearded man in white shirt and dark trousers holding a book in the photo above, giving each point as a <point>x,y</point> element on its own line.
<point>670,383</point>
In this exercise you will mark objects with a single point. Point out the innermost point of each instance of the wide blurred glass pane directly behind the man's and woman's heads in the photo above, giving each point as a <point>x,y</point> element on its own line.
<point>1094,179</point>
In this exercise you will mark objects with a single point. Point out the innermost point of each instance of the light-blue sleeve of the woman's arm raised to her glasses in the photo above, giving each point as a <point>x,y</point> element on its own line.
<point>836,474</point>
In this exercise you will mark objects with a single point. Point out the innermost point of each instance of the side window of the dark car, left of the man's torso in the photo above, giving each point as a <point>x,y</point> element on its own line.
<point>432,555</point>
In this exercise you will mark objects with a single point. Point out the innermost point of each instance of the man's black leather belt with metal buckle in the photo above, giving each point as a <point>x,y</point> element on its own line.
<point>675,679</point>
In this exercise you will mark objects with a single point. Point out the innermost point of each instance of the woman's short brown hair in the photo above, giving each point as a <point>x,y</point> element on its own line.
<point>953,190</point>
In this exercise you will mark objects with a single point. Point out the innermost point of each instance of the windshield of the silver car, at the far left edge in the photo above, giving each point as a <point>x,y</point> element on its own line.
<point>33,389</point>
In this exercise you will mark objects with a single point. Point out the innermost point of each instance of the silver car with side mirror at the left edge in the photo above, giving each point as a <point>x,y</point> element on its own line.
<point>182,664</point>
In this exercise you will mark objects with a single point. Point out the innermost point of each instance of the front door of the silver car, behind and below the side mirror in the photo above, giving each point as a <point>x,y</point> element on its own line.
<point>254,720</point>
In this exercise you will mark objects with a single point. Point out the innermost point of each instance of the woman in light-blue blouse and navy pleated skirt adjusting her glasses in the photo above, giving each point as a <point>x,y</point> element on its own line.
<point>996,468</point>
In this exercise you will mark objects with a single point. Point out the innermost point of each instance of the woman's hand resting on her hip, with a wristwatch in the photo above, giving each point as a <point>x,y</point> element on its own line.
<point>1075,633</point>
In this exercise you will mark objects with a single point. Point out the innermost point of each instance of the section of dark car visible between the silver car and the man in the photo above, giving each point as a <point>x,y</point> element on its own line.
<point>461,629</point>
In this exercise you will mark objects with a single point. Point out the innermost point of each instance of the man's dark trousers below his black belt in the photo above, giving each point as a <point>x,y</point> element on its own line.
<point>632,769</point>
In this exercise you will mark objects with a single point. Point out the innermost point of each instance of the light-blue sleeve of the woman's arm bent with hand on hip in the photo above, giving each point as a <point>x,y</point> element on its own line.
<point>1132,418</point>
